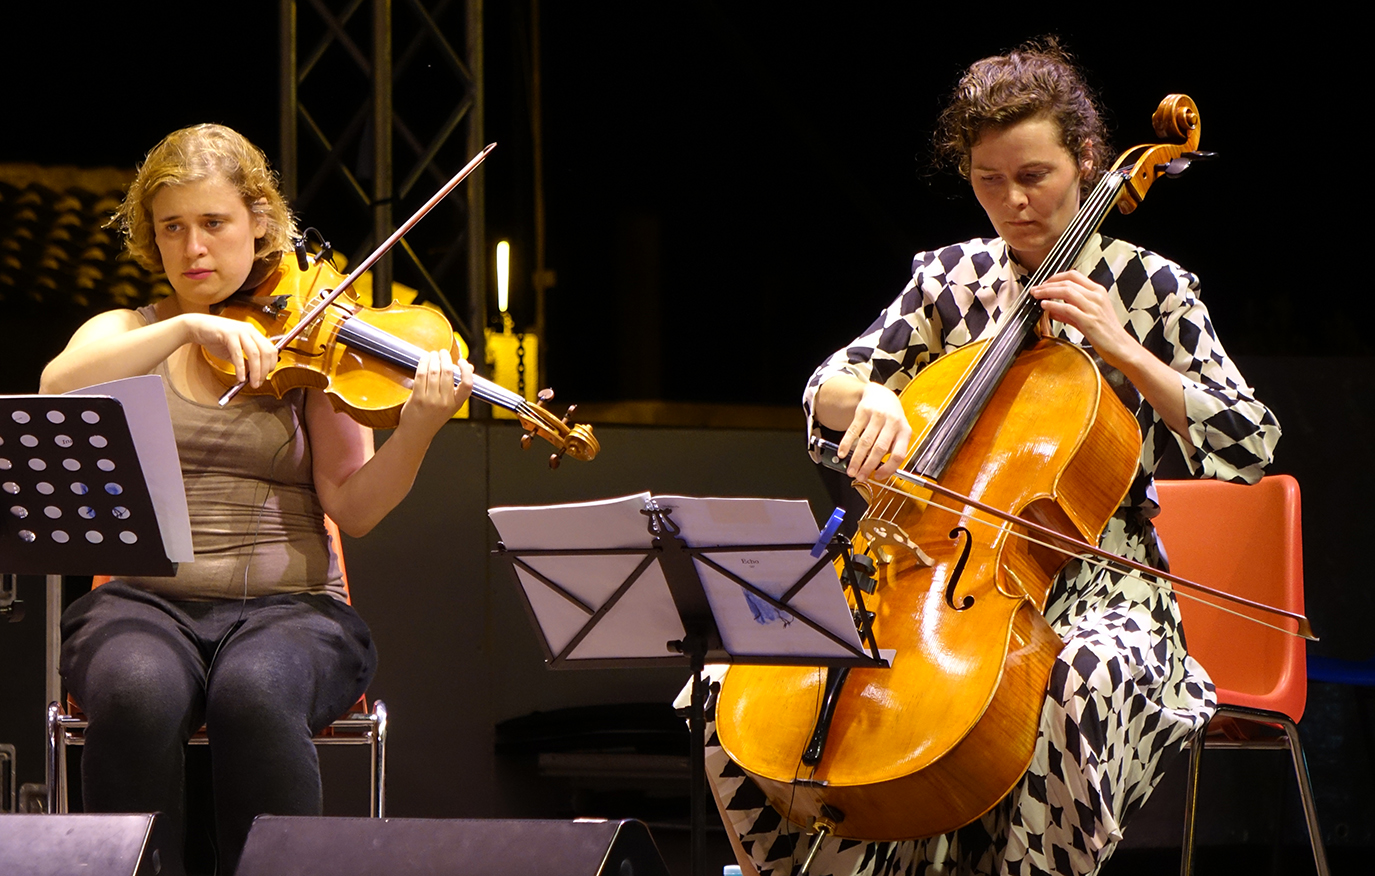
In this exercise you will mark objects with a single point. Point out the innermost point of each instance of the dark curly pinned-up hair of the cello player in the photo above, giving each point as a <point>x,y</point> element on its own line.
<point>1036,79</point>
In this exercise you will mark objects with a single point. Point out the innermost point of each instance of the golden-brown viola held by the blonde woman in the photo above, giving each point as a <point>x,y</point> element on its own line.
<point>365,358</point>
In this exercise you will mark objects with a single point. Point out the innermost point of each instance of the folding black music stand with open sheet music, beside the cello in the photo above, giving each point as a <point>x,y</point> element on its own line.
<point>652,593</point>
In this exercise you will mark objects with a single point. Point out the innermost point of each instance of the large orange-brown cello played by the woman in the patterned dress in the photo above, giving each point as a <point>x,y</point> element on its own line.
<point>1031,434</point>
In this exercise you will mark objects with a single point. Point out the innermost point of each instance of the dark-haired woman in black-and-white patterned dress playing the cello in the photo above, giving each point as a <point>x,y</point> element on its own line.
<point>1124,697</point>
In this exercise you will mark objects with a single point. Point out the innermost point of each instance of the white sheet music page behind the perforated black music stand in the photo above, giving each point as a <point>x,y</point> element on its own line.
<point>151,426</point>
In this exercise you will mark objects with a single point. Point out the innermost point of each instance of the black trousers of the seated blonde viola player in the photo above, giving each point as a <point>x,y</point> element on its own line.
<point>263,676</point>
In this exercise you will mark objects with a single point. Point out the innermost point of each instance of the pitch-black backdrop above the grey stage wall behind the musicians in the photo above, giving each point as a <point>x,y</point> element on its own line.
<point>745,185</point>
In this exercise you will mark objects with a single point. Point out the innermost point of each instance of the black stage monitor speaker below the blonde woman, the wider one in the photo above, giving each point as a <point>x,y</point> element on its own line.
<point>292,846</point>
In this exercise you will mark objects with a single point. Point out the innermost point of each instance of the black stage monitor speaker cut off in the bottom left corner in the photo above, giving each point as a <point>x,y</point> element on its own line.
<point>86,845</point>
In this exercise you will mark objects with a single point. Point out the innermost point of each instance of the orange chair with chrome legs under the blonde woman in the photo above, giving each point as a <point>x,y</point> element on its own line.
<point>360,727</point>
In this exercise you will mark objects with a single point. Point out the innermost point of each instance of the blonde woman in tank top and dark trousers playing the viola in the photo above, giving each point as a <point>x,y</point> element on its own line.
<point>255,640</point>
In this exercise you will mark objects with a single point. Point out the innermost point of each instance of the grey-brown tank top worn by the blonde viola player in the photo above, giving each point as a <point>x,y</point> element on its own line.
<point>256,522</point>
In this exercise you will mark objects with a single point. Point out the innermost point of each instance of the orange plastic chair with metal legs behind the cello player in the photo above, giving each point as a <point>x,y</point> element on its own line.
<point>1246,541</point>
